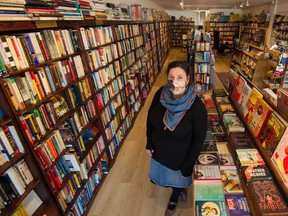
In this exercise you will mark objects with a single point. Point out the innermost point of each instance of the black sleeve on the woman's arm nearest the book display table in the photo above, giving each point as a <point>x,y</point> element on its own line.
<point>199,125</point>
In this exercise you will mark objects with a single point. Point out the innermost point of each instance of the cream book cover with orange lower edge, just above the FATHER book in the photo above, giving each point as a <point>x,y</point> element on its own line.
<point>250,157</point>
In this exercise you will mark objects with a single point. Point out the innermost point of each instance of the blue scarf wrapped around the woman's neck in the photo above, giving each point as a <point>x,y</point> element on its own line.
<point>176,108</point>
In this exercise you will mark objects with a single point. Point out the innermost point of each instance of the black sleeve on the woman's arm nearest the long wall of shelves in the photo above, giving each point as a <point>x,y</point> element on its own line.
<point>149,126</point>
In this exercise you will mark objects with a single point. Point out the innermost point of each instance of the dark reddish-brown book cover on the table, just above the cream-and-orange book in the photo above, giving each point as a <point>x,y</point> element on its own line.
<point>240,140</point>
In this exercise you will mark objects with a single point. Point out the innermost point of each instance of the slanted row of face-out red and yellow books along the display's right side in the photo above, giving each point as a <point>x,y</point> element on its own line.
<point>267,126</point>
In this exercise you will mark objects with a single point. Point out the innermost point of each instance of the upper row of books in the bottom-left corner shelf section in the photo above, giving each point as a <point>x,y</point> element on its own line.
<point>10,144</point>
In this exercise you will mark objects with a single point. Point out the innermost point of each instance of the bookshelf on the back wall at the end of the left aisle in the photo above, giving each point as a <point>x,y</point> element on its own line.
<point>180,28</point>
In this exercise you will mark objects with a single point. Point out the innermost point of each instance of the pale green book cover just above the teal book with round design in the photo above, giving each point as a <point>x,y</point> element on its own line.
<point>213,191</point>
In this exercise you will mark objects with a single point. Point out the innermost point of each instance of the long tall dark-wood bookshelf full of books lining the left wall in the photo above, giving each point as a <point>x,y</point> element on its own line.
<point>77,95</point>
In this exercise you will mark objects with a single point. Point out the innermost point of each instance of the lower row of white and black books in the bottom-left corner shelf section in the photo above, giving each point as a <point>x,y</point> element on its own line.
<point>13,182</point>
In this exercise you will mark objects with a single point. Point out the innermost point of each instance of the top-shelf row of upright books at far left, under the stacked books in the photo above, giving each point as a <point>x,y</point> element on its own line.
<point>21,51</point>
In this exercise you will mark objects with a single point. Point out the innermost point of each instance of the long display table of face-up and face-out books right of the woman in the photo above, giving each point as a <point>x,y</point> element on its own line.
<point>251,165</point>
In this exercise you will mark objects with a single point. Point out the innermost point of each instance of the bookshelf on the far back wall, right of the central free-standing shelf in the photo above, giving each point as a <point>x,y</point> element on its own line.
<point>226,29</point>
